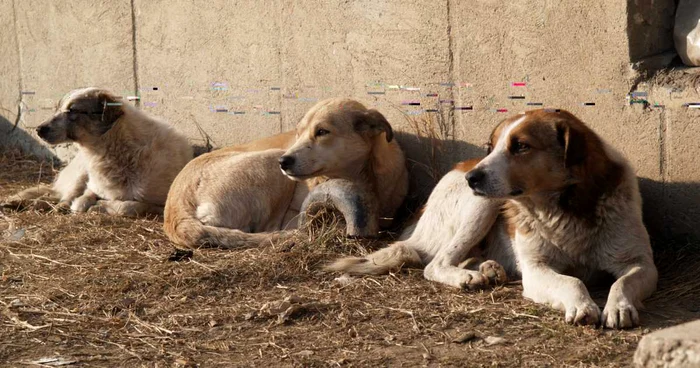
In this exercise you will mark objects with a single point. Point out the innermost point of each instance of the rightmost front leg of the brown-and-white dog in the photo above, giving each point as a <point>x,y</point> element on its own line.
<point>635,283</point>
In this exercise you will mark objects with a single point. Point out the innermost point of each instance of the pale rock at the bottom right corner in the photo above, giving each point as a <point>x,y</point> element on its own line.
<point>677,346</point>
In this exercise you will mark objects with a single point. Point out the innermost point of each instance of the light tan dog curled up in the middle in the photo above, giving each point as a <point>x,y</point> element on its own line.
<point>230,199</point>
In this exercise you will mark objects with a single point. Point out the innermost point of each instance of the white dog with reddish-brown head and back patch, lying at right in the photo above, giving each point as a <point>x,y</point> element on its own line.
<point>551,203</point>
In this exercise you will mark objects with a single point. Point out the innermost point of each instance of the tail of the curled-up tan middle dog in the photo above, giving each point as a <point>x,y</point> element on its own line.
<point>194,234</point>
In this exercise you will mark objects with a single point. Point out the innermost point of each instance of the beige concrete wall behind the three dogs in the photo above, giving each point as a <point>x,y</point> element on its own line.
<point>273,59</point>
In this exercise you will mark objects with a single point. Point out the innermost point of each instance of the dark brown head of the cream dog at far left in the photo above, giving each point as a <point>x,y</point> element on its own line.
<point>81,116</point>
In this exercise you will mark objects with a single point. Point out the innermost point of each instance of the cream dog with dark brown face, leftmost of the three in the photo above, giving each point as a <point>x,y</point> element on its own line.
<point>125,163</point>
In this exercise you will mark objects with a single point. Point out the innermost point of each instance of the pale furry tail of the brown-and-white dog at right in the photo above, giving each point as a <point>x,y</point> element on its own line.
<point>380,262</point>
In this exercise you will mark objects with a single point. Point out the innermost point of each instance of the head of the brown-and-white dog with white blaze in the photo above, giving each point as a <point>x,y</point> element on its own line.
<point>539,152</point>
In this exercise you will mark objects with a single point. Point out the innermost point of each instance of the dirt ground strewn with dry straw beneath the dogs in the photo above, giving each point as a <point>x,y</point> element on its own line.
<point>93,290</point>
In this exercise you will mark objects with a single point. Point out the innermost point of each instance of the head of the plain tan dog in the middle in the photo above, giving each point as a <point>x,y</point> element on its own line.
<point>334,139</point>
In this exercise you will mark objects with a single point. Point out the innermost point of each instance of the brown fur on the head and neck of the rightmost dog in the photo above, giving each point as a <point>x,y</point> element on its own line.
<point>565,156</point>
